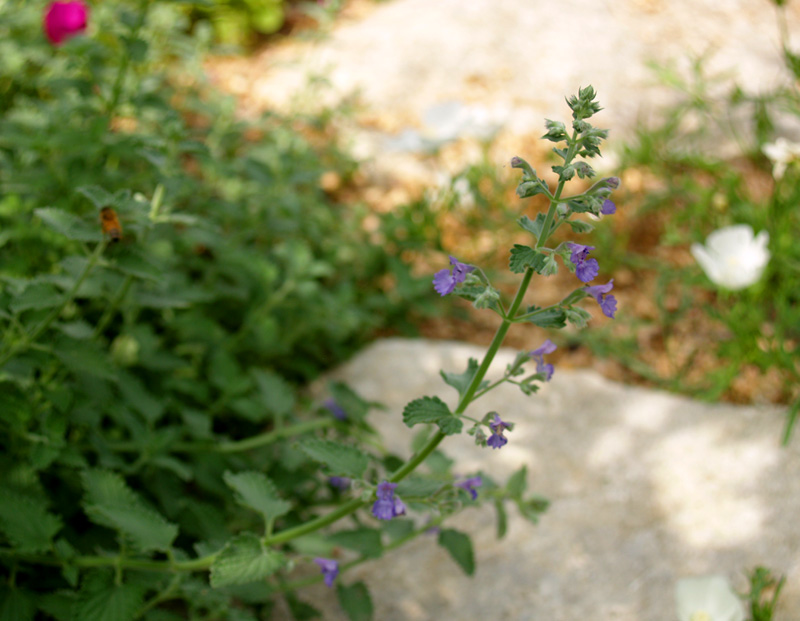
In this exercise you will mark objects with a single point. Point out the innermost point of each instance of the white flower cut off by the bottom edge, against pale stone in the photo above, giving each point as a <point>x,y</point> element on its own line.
<point>707,598</point>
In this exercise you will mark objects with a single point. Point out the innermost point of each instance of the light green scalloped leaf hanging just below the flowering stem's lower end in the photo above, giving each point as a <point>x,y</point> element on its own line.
<point>244,559</point>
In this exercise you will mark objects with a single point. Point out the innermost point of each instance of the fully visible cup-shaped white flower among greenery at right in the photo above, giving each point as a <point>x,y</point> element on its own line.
<point>732,258</point>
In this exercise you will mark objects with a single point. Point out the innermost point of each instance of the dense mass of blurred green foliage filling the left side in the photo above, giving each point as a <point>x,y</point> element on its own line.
<point>135,374</point>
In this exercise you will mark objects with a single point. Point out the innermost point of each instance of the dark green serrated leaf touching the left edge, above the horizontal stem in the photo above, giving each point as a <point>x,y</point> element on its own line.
<point>26,522</point>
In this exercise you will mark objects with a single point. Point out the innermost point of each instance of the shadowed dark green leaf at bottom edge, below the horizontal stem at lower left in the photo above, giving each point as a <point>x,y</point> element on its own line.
<point>102,600</point>
